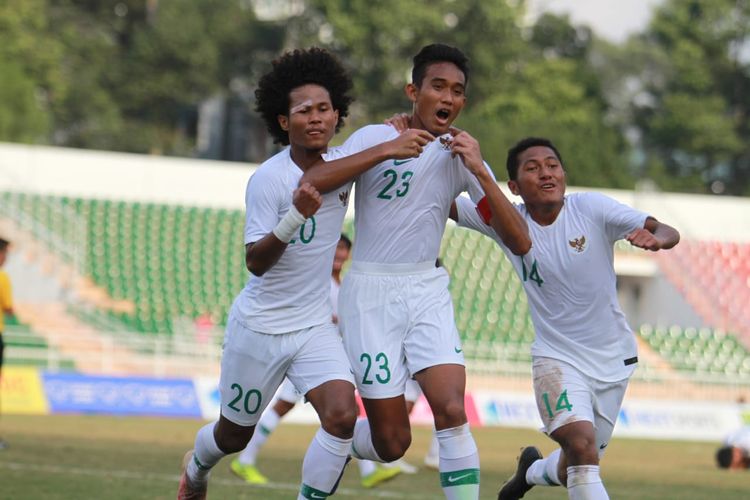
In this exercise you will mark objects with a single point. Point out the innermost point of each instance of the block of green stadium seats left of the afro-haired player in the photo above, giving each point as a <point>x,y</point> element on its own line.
<point>170,261</point>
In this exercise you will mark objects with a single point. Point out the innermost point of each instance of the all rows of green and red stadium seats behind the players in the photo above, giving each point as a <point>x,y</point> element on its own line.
<point>175,263</point>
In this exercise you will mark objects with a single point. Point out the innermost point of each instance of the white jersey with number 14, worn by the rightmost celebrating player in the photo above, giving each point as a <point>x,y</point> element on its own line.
<point>570,282</point>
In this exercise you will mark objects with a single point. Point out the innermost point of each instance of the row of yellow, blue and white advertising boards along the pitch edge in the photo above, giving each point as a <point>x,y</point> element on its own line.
<point>30,391</point>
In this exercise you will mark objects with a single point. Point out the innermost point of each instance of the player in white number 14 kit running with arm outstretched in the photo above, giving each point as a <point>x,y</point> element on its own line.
<point>584,351</point>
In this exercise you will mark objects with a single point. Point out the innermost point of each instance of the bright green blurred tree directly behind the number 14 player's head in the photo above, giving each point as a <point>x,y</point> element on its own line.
<point>547,99</point>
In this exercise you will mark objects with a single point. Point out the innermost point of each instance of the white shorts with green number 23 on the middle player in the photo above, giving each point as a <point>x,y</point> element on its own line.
<point>396,319</point>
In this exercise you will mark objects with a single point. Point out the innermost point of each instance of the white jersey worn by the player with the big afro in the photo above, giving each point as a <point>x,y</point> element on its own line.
<point>294,293</point>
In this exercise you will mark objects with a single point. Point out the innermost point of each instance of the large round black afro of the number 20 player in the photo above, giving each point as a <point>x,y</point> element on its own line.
<point>294,69</point>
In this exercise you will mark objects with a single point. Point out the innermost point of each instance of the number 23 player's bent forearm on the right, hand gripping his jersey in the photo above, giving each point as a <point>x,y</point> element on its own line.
<point>504,218</point>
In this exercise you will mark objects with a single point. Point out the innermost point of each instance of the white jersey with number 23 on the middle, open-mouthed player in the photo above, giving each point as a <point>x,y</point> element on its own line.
<point>401,206</point>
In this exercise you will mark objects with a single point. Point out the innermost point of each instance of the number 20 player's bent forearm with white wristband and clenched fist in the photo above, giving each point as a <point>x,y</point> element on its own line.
<point>262,255</point>
